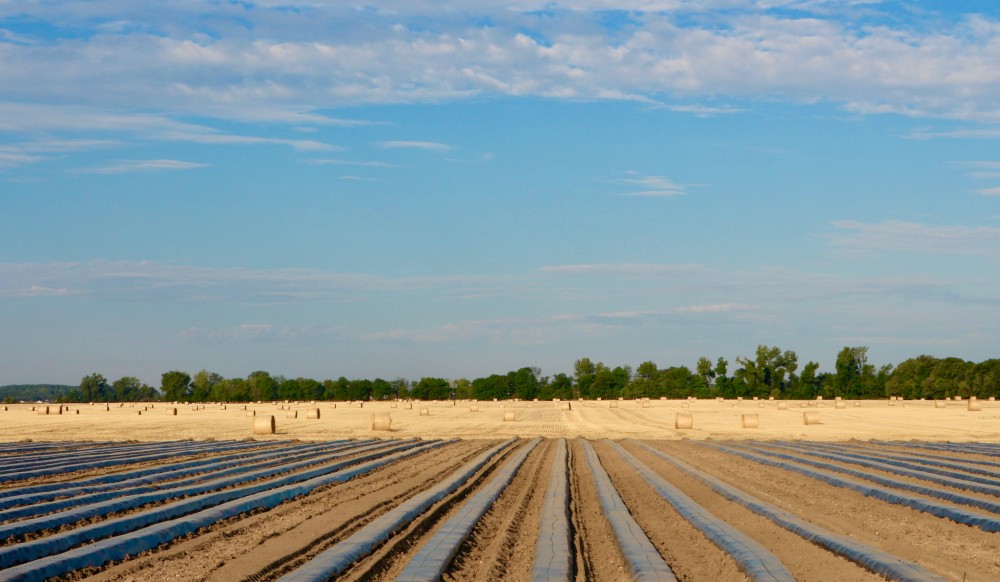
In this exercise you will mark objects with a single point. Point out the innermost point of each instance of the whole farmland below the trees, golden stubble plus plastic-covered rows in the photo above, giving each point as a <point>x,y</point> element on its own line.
<point>328,498</point>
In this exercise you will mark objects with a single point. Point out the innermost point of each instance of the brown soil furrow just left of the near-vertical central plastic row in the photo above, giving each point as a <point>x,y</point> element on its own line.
<point>502,544</point>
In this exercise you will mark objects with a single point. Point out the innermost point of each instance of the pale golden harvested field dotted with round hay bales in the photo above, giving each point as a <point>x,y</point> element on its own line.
<point>872,420</point>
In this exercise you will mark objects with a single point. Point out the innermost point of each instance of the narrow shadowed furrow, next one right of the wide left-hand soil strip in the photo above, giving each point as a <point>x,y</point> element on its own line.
<point>387,562</point>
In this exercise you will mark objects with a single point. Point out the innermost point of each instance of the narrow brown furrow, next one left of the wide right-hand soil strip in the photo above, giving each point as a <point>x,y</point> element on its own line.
<point>803,559</point>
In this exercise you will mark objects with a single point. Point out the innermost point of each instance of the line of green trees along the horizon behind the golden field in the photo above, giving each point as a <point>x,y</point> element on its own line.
<point>770,372</point>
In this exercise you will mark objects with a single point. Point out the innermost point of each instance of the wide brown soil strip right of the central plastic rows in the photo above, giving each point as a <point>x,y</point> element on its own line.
<point>956,551</point>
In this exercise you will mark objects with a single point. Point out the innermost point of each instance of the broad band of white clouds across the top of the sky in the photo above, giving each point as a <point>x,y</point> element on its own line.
<point>296,64</point>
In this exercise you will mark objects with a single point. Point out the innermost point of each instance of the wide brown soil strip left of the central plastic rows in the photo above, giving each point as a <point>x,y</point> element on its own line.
<point>263,537</point>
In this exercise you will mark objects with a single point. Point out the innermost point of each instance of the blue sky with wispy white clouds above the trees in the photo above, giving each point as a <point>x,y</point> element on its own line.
<point>461,188</point>
